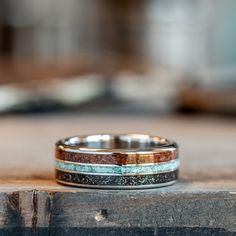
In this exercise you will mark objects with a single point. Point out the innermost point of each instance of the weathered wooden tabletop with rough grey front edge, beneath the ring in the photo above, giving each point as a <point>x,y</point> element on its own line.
<point>202,202</point>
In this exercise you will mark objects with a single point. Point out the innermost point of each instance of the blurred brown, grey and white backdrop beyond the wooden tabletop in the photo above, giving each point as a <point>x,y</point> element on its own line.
<point>161,56</point>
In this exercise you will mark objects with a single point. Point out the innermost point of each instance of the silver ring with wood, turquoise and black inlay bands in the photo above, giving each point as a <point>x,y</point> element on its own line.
<point>116,161</point>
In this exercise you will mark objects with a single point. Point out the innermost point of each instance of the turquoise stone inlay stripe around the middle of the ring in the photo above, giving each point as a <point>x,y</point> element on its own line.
<point>135,169</point>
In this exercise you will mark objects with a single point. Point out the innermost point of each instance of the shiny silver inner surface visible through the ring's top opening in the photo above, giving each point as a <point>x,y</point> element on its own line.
<point>108,141</point>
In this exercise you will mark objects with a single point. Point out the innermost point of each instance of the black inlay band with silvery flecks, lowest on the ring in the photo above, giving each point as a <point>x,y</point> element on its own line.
<point>111,180</point>
